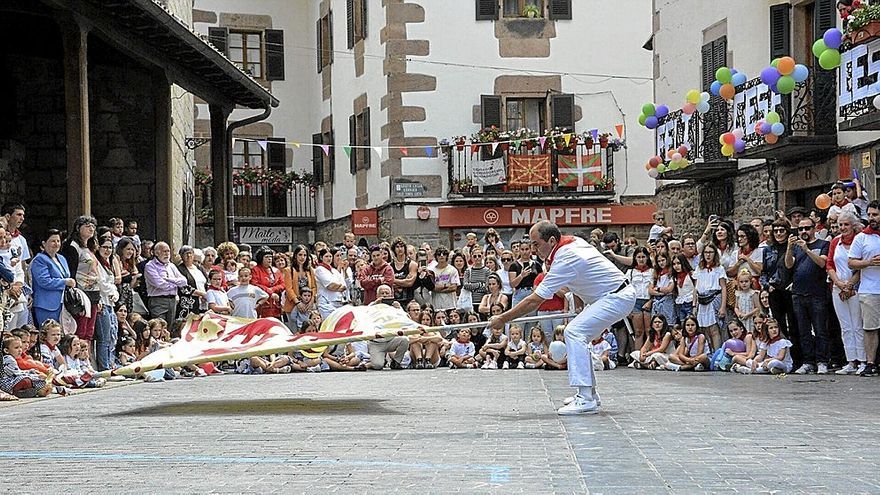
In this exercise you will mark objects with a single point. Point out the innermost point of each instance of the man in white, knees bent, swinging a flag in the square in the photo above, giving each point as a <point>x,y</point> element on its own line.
<point>575,264</point>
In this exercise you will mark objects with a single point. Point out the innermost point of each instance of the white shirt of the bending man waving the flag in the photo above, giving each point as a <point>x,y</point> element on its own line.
<point>584,270</point>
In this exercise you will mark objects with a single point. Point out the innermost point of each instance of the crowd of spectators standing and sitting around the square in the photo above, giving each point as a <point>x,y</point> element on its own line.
<point>796,292</point>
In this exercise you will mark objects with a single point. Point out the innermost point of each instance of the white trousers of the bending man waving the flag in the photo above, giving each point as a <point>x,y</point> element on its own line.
<point>588,325</point>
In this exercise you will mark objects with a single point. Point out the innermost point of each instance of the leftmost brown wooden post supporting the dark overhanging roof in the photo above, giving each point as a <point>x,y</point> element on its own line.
<point>76,103</point>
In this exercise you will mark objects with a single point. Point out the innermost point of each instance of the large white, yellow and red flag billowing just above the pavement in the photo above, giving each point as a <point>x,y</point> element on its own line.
<point>213,337</point>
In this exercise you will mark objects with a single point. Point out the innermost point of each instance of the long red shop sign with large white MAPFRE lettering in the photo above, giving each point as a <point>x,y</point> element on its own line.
<point>507,216</point>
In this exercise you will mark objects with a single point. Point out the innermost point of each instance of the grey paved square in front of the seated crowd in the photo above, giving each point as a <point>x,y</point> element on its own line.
<point>461,431</point>
